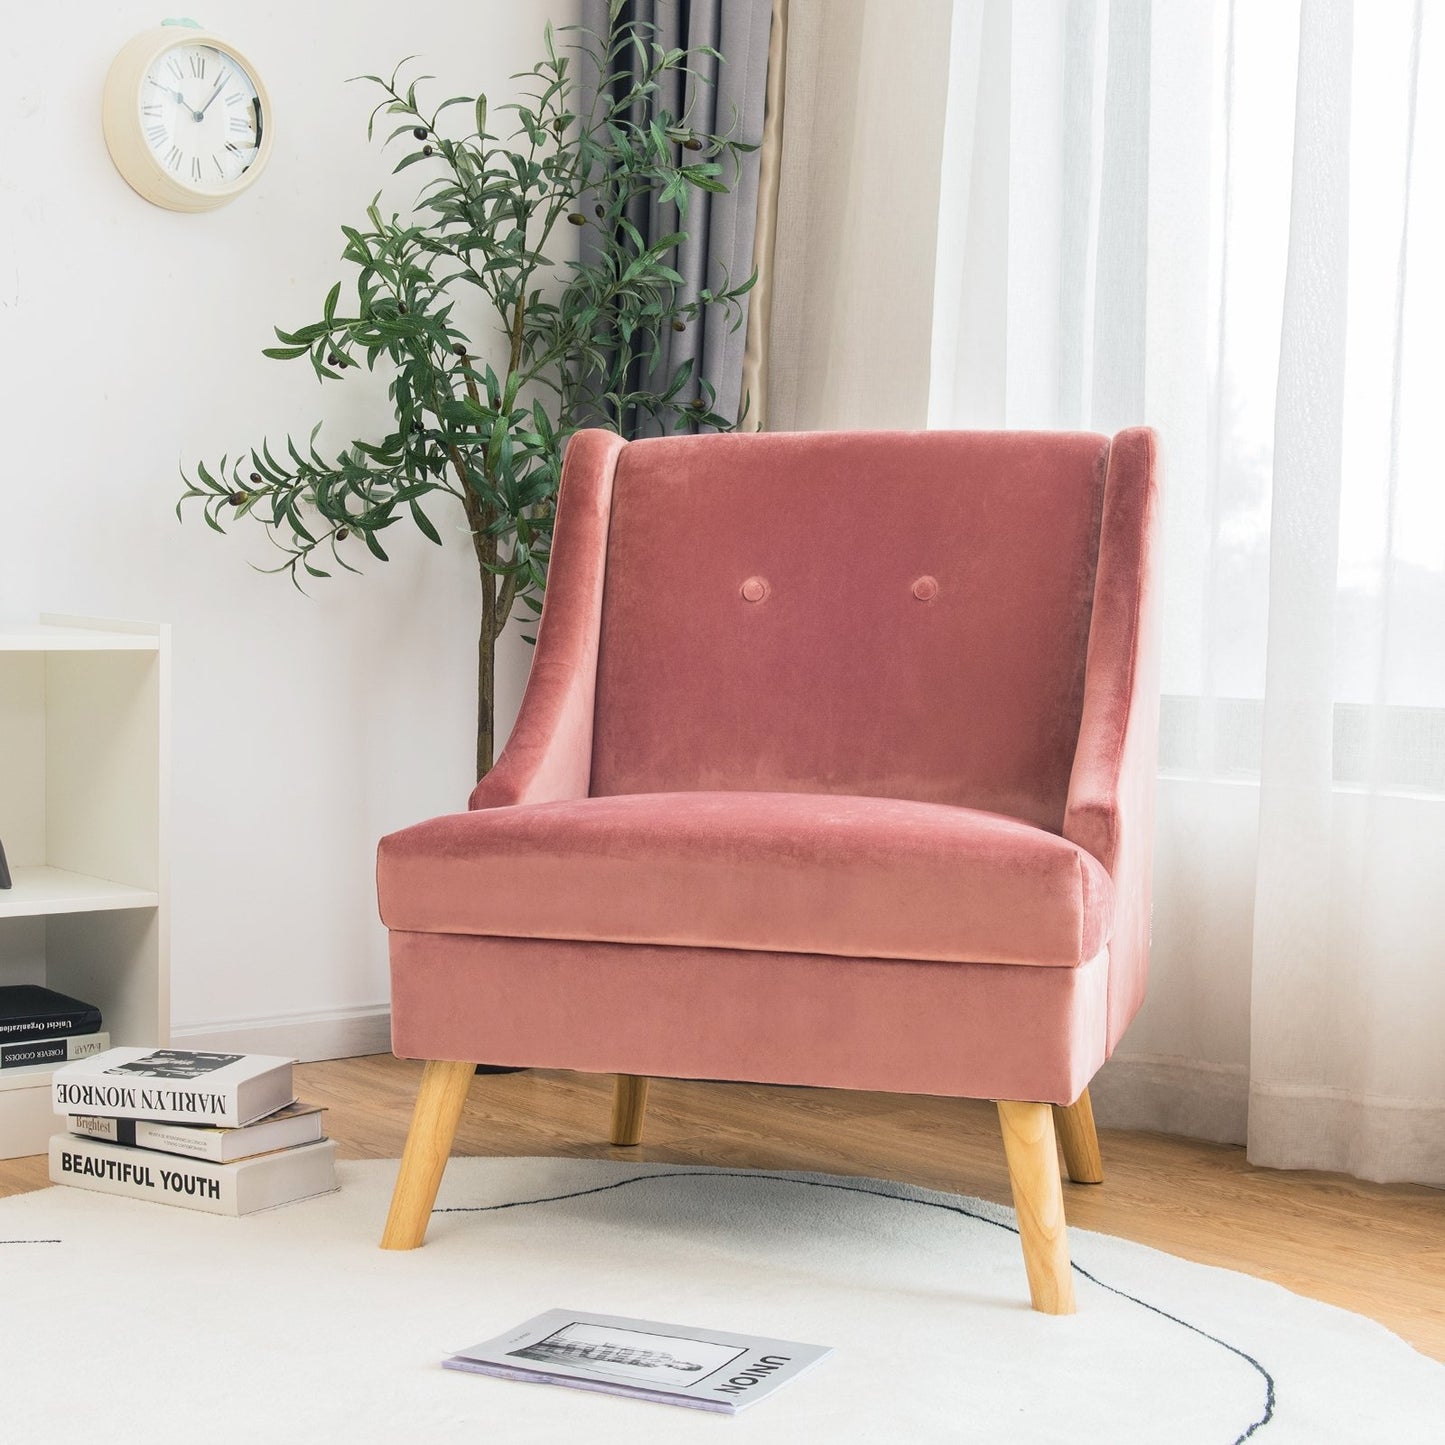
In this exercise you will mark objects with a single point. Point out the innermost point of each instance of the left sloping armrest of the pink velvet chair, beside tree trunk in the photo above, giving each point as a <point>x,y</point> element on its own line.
<point>550,754</point>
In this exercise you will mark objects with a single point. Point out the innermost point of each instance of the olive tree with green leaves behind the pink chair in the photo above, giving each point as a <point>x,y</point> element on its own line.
<point>582,335</point>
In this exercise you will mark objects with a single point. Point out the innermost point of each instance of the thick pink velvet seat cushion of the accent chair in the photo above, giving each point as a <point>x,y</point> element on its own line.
<point>858,878</point>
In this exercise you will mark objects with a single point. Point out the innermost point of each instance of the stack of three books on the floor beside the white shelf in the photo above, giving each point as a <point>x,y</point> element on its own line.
<point>216,1132</point>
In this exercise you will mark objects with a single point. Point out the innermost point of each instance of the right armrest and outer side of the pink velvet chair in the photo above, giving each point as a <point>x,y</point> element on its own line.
<point>1112,788</point>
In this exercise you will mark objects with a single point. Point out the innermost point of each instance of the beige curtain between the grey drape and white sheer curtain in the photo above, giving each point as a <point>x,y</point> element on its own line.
<point>858,215</point>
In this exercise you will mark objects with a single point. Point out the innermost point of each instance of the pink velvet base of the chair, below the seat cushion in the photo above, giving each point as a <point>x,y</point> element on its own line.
<point>967,1031</point>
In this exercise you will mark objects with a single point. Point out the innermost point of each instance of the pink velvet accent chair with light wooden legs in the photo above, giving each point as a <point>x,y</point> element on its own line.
<point>836,768</point>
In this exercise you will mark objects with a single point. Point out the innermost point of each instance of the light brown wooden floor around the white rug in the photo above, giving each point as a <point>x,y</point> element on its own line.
<point>1375,1249</point>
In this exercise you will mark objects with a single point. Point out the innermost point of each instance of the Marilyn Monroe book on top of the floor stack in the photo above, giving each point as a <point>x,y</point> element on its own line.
<point>178,1086</point>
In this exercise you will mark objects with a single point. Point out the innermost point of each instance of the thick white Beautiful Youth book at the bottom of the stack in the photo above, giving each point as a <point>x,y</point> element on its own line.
<point>196,1184</point>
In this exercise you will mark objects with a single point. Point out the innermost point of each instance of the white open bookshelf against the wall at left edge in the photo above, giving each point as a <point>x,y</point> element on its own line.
<point>85,742</point>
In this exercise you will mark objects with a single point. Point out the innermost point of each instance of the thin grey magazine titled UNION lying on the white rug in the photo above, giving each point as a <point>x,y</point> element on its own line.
<point>670,1365</point>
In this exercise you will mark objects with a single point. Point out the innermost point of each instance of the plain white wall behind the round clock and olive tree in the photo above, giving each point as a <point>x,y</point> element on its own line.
<point>306,728</point>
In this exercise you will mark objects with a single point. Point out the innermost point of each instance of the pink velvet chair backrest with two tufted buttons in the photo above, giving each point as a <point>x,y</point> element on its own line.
<point>889,615</point>
